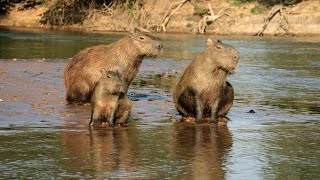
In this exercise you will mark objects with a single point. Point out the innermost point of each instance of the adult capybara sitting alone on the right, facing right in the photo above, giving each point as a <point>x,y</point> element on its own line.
<point>203,90</point>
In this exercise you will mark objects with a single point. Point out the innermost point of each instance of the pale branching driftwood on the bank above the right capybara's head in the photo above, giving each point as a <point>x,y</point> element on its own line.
<point>204,22</point>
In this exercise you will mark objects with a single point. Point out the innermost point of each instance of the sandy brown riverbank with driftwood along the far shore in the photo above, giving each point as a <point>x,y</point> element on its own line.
<point>221,17</point>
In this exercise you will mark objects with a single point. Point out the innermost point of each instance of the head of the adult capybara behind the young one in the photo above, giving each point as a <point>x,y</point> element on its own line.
<point>147,45</point>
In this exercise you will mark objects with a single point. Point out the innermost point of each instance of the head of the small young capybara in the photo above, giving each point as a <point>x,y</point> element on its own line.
<point>111,80</point>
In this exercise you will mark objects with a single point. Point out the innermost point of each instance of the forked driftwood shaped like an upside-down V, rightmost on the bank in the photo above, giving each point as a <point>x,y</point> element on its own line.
<point>283,24</point>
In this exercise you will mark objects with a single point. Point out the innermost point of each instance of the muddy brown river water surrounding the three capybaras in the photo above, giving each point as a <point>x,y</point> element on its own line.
<point>43,137</point>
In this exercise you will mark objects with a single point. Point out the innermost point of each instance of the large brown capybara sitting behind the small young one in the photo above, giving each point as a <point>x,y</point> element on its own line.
<point>124,56</point>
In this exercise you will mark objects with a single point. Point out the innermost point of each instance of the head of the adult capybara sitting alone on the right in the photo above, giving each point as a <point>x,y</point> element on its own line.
<point>223,55</point>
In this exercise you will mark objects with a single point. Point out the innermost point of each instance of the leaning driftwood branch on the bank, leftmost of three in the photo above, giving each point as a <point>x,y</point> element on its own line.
<point>174,7</point>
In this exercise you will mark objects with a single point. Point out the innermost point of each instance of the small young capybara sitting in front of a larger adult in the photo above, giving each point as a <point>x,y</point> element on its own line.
<point>108,102</point>
